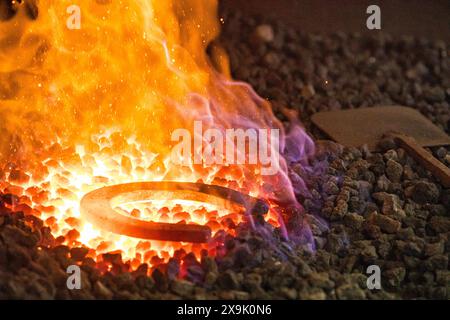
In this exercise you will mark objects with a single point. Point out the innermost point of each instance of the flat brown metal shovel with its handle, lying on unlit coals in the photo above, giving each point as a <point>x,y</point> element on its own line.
<point>407,126</point>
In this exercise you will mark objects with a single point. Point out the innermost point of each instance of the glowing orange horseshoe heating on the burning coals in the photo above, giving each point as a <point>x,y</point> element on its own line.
<point>97,208</point>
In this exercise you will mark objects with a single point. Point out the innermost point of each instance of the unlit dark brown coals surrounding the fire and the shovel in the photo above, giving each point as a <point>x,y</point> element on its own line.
<point>364,208</point>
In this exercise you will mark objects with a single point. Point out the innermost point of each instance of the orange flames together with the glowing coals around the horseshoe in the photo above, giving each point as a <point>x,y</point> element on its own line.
<point>96,106</point>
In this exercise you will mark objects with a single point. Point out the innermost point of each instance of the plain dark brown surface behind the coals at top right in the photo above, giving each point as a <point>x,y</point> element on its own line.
<point>425,18</point>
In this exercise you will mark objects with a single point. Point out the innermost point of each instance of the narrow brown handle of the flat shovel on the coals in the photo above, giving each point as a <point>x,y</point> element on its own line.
<point>437,168</point>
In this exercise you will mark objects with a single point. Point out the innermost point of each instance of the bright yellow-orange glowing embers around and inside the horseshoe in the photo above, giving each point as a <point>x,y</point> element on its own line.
<point>54,192</point>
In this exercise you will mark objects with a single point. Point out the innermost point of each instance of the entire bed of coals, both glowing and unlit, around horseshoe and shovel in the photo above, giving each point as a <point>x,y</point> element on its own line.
<point>360,208</point>
